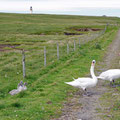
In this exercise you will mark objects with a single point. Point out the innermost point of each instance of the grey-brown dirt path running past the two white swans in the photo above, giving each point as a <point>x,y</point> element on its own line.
<point>85,108</point>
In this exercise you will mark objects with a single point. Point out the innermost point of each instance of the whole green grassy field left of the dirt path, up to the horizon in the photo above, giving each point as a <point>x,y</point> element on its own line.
<point>46,88</point>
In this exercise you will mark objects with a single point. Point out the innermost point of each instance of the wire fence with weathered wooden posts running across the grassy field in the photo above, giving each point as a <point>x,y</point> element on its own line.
<point>43,57</point>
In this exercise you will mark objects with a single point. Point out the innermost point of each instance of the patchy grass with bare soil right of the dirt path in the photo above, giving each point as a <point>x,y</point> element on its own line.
<point>110,101</point>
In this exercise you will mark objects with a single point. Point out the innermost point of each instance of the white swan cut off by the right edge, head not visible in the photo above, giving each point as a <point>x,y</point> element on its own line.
<point>110,75</point>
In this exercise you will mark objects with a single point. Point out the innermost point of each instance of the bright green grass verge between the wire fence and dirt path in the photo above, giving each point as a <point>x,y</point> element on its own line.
<point>46,88</point>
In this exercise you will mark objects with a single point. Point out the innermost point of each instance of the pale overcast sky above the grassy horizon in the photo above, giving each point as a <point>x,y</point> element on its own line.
<point>87,7</point>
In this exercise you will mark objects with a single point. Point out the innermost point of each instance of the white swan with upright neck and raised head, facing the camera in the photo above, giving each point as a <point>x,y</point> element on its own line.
<point>85,82</point>
